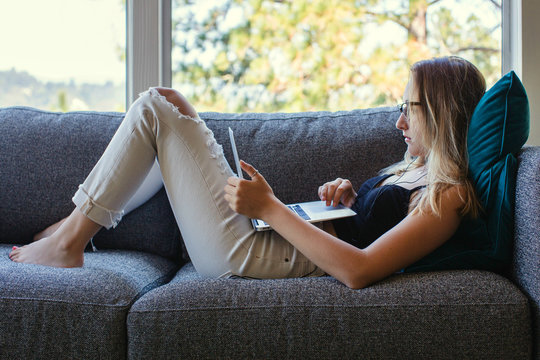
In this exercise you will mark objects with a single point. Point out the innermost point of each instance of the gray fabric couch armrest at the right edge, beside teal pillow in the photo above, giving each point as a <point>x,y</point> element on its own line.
<point>526,263</point>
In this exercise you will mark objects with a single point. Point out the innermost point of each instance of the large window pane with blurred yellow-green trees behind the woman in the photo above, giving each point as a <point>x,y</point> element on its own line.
<point>266,55</point>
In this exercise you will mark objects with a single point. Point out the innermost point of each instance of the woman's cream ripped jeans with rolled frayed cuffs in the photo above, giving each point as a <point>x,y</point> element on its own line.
<point>220,242</point>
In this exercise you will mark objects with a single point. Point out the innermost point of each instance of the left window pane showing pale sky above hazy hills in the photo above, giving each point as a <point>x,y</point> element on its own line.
<point>63,54</point>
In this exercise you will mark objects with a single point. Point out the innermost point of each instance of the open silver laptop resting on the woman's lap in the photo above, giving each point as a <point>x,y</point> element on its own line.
<point>312,211</point>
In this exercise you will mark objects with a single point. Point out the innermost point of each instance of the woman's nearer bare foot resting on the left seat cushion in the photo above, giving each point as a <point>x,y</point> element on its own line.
<point>48,251</point>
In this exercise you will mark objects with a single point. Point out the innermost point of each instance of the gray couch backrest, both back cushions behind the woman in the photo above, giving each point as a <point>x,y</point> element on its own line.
<point>44,156</point>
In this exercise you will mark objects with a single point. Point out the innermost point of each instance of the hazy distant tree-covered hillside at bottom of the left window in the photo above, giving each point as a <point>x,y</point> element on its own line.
<point>21,88</point>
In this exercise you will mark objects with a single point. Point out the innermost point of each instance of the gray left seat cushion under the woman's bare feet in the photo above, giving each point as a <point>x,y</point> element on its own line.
<point>80,313</point>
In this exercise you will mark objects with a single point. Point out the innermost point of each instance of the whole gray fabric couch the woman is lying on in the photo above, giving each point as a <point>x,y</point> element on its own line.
<point>139,297</point>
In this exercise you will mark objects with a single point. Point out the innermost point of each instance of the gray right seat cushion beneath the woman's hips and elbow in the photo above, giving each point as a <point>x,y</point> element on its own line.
<point>442,315</point>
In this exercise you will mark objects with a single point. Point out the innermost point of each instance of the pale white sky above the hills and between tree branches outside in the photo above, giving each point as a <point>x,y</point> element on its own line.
<point>60,40</point>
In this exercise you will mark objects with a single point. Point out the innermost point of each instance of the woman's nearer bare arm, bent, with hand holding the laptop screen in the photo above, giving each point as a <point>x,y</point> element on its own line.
<point>413,238</point>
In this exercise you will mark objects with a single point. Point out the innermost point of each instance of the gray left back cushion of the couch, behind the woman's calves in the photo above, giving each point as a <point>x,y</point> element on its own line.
<point>46,158</point>
